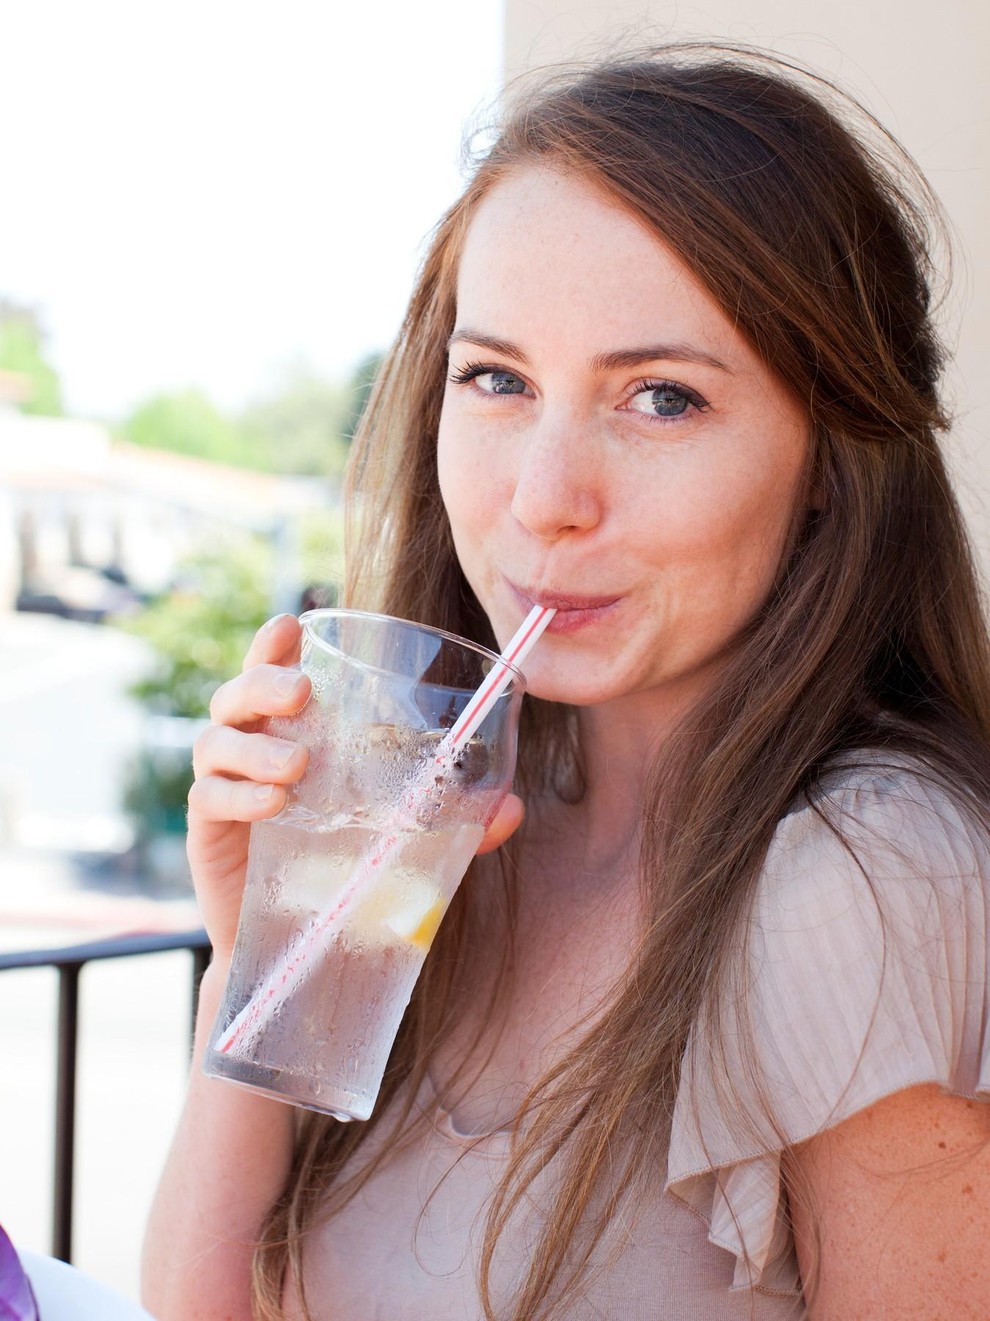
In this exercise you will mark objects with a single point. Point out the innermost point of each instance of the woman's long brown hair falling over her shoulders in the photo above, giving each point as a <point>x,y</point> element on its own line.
<point>812,231</point>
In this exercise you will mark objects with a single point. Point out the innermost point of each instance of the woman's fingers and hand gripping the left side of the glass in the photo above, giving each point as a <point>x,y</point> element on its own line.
<point>243,775</point>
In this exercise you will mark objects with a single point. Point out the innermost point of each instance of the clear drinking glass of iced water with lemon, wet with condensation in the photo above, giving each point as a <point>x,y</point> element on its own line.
<point>348,884</point>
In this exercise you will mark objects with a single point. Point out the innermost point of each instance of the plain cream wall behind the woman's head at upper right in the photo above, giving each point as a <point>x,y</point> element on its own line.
<point>921,68</point>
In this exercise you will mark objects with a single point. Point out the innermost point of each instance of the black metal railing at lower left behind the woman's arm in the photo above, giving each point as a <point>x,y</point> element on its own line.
<point>69,962</point>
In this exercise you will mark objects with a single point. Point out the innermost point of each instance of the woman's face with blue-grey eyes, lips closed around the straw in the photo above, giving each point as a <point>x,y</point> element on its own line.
<point>611,446</point>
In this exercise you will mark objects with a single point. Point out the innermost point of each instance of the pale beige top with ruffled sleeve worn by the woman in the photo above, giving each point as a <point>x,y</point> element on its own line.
<point>868,974</point>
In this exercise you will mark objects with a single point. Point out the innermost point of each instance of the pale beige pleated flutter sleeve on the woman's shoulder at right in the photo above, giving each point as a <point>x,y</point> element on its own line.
<point>865,973</point>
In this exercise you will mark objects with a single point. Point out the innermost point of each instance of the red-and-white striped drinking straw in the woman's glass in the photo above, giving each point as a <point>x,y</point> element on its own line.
<point>298,961</point>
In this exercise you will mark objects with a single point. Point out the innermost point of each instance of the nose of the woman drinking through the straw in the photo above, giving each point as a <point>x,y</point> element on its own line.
<point>558,491</point>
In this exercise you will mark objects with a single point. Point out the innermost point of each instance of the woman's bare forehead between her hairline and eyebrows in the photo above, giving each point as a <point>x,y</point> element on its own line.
<point>547,248</point>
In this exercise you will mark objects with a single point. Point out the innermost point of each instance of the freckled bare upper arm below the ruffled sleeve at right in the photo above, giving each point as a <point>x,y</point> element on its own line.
<point>893,1208</point>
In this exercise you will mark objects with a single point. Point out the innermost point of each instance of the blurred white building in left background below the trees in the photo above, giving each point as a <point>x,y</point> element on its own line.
<point>89,526</point>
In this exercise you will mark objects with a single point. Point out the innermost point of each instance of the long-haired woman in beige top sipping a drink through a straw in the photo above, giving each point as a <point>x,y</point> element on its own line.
<point>704,1039</point>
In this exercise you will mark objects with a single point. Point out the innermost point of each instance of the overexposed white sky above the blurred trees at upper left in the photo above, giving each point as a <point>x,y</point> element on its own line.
<point>202,192</point>
